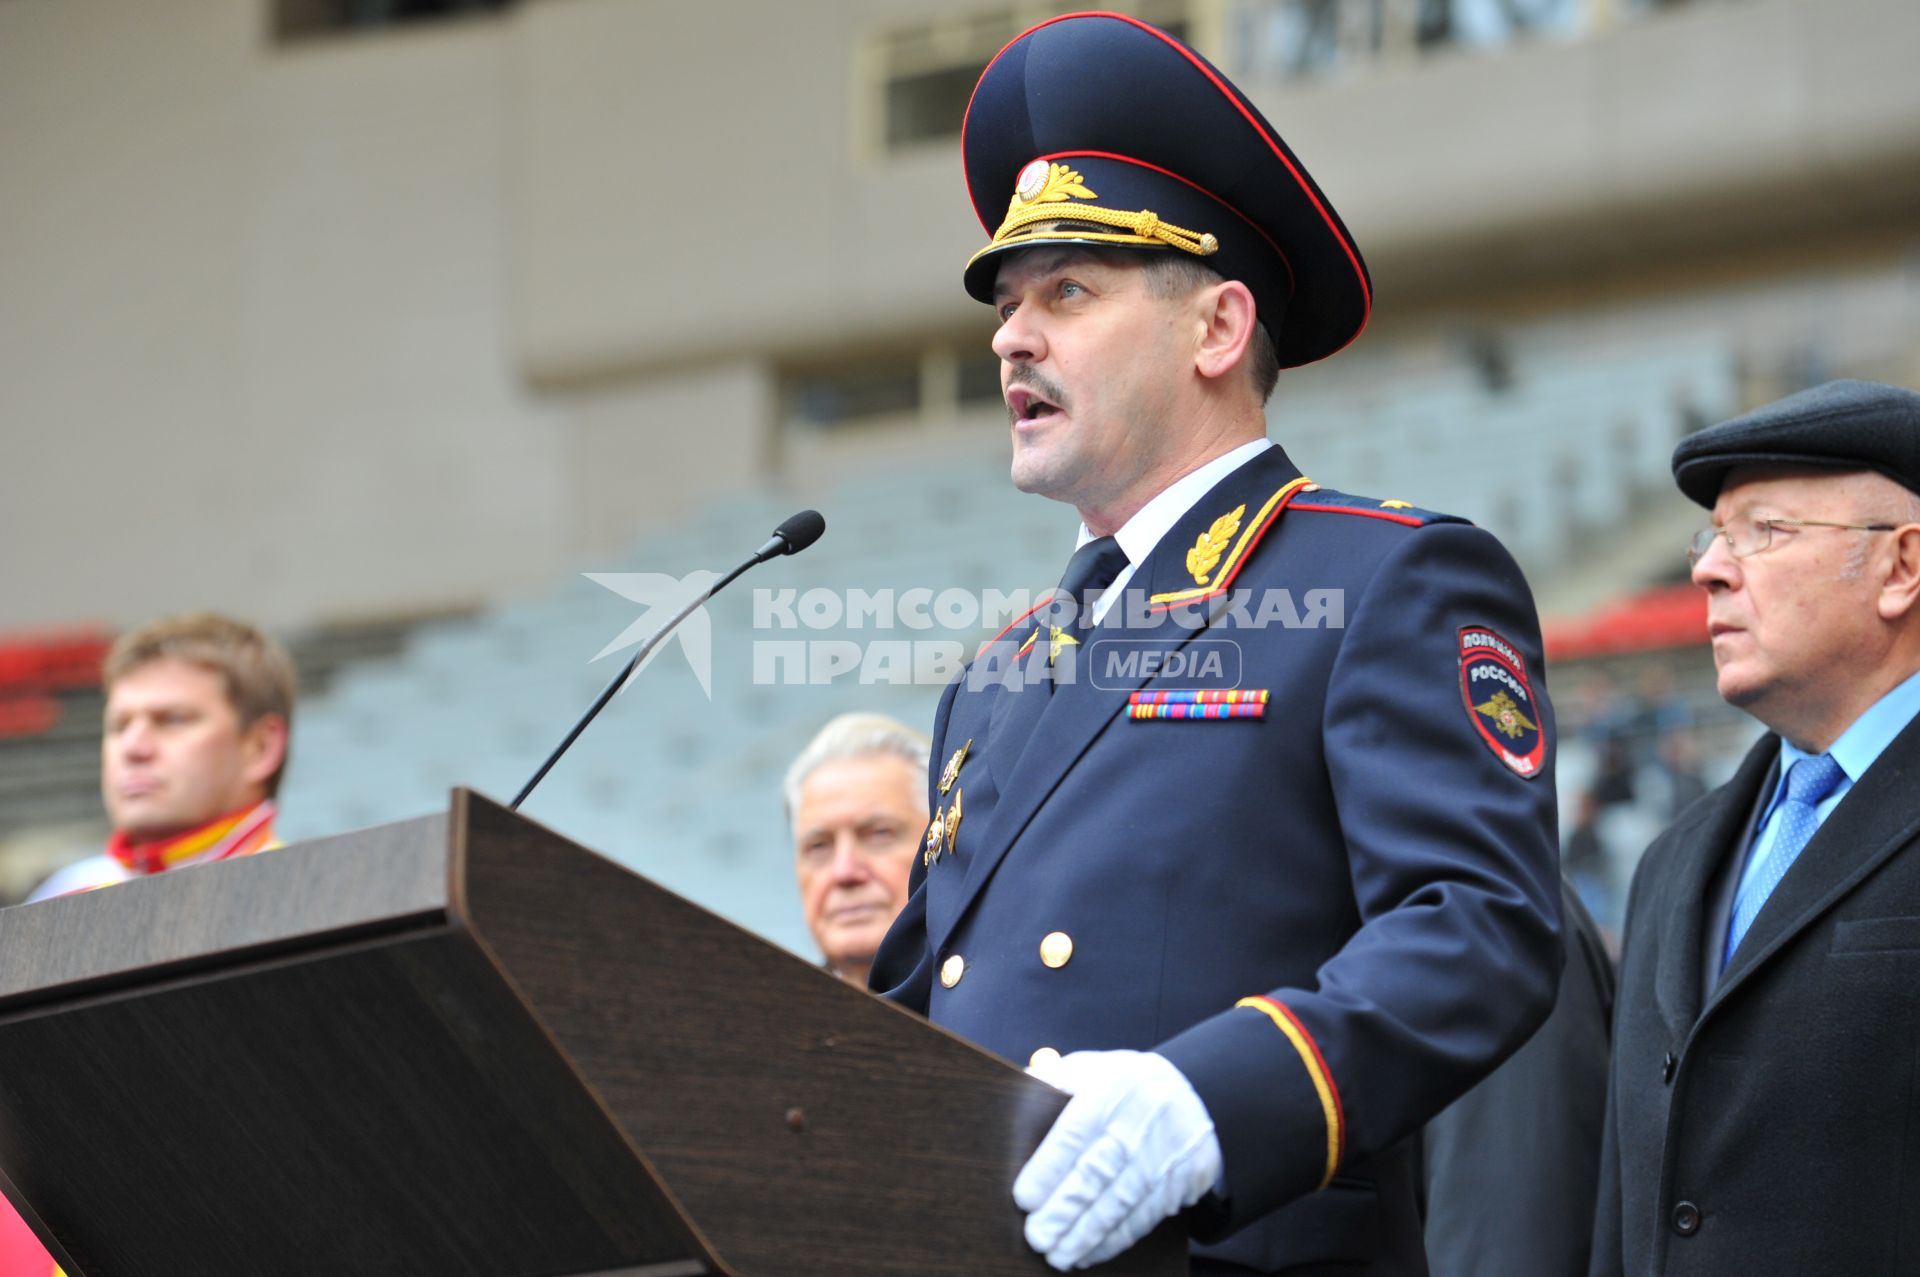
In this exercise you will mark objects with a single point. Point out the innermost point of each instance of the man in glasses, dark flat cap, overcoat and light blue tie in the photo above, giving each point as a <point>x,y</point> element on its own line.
<point>1764,1109</point>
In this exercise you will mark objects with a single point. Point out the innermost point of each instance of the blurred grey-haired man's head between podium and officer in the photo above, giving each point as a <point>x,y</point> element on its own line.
<point>857,802</point>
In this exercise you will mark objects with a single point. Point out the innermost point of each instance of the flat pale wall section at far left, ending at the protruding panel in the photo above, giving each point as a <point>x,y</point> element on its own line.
<point>254,322</point>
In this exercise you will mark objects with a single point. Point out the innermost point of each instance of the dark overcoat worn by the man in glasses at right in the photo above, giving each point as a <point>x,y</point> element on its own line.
<point>1771,1126</point>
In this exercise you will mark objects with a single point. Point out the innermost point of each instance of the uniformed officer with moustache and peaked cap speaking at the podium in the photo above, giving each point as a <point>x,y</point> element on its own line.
<point>1245,838</point>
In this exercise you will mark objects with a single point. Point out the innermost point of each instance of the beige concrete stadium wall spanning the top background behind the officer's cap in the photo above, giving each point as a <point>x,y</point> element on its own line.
<point>435,316</point>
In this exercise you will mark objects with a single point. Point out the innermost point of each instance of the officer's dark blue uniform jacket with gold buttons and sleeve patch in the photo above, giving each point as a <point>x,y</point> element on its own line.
<point>1333,917</point>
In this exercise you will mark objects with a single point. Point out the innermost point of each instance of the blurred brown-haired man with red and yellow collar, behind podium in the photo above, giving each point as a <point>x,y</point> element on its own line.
<point>193,748</point>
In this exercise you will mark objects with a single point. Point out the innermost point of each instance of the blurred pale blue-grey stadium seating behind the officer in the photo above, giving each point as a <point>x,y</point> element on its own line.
<point>684,784</point>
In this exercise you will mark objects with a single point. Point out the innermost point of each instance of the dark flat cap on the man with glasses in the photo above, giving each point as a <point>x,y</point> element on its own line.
<point>1838,427</point>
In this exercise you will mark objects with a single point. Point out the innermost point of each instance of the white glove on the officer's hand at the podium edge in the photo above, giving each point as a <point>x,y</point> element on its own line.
<point>1132,1147</point>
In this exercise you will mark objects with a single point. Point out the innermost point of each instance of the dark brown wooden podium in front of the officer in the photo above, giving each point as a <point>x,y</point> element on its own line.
<point>466,1046</point>
